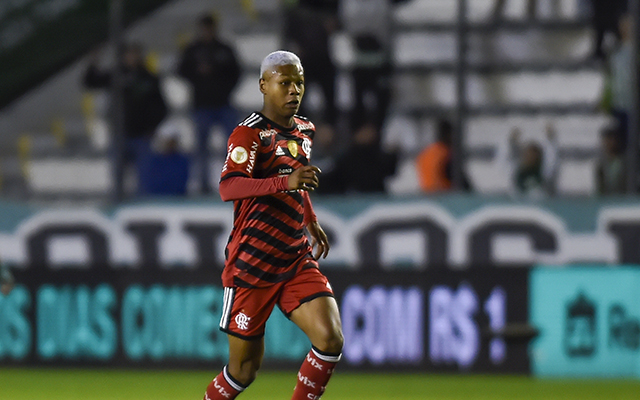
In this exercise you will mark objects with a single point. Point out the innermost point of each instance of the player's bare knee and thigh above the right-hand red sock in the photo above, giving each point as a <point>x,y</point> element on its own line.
<point>319,319</point>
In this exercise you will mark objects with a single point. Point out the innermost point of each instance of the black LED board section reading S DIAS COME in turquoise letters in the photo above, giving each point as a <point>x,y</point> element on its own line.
<point>100,325</point>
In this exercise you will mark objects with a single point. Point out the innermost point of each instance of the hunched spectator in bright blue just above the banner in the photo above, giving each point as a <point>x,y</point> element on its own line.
<point>168,169</point>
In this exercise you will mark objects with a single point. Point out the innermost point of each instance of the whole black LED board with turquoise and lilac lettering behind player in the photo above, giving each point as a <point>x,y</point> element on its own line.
<point>436,321</point>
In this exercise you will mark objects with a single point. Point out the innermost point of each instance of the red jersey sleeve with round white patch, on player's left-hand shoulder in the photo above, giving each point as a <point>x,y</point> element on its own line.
<point>242,152</point>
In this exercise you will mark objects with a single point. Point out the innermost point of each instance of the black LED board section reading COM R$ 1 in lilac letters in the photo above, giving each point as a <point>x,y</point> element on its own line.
<point>437,321</point>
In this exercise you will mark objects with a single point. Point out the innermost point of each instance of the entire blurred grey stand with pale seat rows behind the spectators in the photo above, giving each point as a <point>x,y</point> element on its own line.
<point>522,72</point>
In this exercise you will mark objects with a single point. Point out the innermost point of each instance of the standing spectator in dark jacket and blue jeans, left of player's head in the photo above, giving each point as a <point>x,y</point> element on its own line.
<point>212,69</point>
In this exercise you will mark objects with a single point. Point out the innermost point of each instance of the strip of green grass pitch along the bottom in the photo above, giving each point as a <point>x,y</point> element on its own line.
<point>97,384</point>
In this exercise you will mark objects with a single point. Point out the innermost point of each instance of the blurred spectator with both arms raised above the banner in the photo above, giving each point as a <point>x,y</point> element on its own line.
<point>532,167</point>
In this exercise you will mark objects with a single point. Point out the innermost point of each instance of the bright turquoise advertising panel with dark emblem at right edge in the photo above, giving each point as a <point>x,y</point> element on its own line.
<point>589,321</point>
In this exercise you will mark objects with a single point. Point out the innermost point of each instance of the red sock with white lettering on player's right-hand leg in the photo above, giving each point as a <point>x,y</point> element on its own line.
<point>314,375</point>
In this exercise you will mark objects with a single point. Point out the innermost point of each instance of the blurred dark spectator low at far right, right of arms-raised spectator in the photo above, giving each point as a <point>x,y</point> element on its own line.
<point>610,170</point>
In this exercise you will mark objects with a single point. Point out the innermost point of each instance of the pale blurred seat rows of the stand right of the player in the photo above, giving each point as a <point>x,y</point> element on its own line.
<point>522,73</point>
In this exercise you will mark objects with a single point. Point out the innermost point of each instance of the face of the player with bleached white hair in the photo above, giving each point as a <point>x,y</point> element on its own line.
<point>283,88</point>
